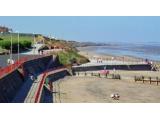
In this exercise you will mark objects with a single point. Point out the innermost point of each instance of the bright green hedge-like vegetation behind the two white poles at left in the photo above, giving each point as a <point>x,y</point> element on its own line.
<point>25,41</point>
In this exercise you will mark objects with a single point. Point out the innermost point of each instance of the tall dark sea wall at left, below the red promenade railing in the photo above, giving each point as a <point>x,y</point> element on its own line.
<point>11,83</point>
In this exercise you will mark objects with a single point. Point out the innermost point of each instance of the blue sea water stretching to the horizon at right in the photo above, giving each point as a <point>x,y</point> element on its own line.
<point>150,50</point>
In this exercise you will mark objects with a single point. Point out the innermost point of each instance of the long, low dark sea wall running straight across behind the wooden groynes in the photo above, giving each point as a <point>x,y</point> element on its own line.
<point>145,67</point>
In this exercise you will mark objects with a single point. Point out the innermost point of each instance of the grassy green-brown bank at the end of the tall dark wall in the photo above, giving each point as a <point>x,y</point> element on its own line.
<point>69,57</point>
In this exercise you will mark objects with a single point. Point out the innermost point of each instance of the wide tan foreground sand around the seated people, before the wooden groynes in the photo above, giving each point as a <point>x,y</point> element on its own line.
<point>74,89</point>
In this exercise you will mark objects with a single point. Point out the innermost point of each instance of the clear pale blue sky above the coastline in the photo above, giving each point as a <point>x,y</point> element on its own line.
<point>88,28</point>
